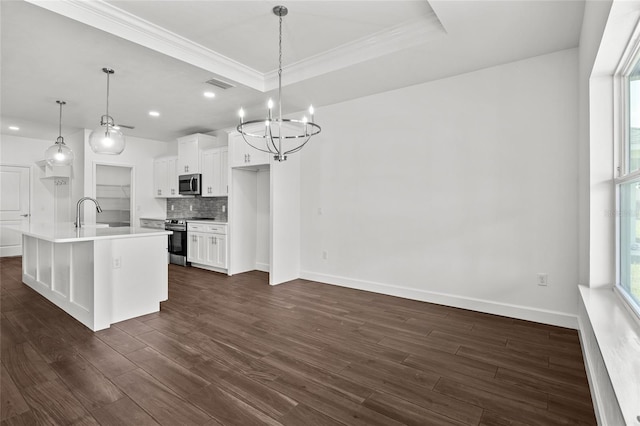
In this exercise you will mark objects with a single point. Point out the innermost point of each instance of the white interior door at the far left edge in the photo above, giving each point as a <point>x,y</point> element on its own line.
<point>14,208</point>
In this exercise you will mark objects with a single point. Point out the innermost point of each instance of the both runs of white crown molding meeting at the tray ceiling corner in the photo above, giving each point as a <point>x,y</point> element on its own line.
<point>113,20</point>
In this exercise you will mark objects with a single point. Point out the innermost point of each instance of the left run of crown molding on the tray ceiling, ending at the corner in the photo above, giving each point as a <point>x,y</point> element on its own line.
<point>118,22</point>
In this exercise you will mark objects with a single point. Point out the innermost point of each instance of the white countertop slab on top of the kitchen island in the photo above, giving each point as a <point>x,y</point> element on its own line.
<point>68,233</point>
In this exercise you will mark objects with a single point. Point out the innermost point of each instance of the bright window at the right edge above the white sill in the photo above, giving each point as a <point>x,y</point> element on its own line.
<point>628,185</point>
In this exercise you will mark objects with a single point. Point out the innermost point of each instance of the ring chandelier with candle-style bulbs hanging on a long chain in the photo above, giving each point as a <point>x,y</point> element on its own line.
<point>289,135</point>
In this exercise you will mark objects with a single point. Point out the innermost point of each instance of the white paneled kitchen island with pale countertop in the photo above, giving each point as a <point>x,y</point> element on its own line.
<point>97,275</point>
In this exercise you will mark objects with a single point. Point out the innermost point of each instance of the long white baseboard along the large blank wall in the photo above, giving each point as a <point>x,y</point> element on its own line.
<point>490,307</point>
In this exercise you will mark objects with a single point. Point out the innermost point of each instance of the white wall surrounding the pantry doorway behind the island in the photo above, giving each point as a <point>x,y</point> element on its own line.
<point>139,154</point>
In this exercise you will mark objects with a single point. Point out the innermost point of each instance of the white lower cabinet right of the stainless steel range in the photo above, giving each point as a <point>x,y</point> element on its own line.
<point>207,245</point>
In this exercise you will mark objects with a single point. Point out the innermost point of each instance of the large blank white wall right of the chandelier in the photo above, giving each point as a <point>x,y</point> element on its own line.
<point>457,191</point>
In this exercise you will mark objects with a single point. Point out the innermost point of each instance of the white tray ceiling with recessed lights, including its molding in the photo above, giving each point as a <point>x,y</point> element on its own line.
<point>164,51</point>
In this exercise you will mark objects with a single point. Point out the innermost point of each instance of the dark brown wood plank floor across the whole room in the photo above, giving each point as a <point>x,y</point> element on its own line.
<point>234,351</point>
